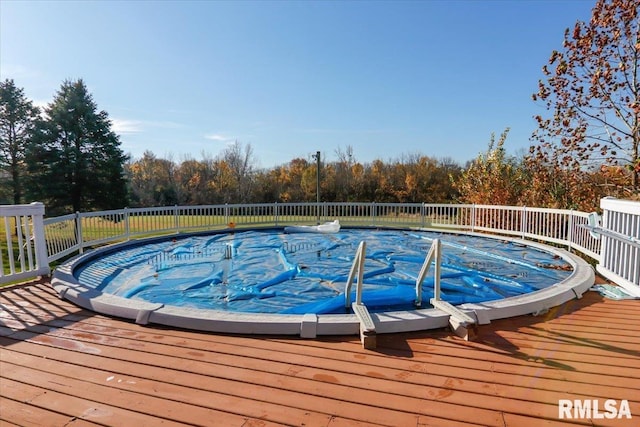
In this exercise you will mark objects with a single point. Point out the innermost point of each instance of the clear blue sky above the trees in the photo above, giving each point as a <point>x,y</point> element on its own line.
<point>184,79</point>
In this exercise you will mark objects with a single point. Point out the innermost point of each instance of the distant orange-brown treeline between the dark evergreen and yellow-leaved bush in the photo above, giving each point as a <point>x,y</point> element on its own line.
<point>231,177</point>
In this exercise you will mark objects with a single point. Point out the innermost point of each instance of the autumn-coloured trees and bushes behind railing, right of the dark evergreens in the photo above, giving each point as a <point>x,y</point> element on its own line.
<point>493,177</point>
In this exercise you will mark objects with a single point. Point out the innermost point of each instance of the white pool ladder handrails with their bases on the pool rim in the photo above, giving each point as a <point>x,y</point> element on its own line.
<point>461,323</point>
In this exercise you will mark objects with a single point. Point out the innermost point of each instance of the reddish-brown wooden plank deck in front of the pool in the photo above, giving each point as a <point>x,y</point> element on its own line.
<point>64,366</point>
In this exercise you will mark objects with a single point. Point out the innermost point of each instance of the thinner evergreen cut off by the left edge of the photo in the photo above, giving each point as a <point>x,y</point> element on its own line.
<point>17,123</point>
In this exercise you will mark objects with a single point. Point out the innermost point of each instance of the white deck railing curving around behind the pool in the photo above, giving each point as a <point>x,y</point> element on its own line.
<point>54,238</point>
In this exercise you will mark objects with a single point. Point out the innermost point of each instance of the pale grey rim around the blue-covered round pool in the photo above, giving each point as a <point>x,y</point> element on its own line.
<point>312,325</point>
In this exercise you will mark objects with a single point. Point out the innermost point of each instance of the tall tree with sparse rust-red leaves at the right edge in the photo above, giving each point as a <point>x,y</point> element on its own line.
<point>591,91</point>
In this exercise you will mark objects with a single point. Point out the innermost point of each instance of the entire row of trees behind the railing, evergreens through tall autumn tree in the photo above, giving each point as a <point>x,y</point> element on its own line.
<point>586,147</point>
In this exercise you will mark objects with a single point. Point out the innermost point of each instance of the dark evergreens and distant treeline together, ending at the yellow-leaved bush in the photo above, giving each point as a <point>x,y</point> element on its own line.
<point>68,157</point>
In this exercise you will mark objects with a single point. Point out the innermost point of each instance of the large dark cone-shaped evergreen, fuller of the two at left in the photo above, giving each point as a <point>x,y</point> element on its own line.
<point>75,161</point>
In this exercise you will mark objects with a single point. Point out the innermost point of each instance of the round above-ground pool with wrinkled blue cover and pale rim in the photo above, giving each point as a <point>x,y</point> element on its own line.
<point>220,276</point>
